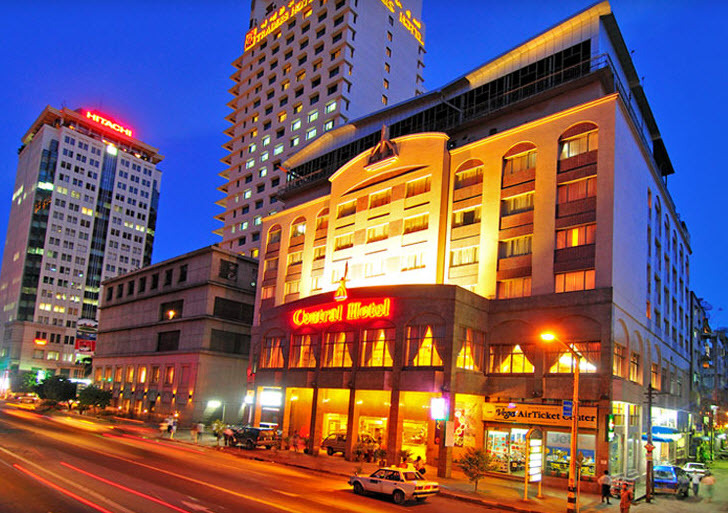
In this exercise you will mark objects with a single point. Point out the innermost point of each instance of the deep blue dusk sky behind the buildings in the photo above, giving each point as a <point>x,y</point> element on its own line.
<point>162,68</point>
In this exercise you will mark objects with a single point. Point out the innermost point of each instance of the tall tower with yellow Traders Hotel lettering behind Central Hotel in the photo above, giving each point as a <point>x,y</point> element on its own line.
<point>307,67</point>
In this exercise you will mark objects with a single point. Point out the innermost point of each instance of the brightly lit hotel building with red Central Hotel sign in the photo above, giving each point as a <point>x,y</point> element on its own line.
<point>424,248</point>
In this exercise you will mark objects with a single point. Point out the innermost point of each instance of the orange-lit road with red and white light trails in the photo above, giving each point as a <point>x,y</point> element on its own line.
<point>64,464</point>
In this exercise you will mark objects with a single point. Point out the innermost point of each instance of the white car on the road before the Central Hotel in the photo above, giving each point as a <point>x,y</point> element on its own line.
<point>399,483</point>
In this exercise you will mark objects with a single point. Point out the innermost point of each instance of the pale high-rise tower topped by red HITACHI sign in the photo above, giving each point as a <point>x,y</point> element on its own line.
<point>84,209</point>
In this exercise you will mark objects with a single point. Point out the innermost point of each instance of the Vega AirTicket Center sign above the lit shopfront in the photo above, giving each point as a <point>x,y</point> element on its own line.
<point>538,414</point>
